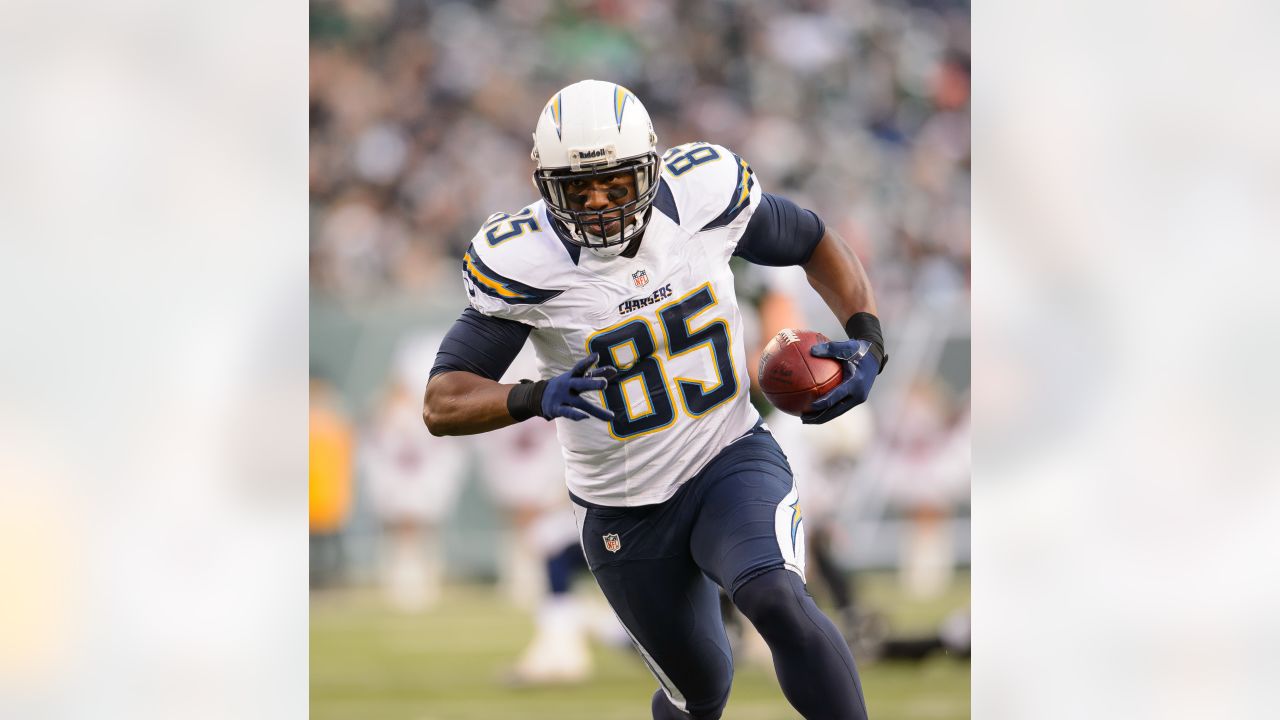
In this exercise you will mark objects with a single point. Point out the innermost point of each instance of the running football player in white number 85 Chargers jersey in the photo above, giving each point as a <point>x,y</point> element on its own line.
<point>619,276</point>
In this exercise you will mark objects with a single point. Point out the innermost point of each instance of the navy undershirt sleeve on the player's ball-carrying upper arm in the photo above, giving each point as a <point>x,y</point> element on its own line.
<point>780,234</point>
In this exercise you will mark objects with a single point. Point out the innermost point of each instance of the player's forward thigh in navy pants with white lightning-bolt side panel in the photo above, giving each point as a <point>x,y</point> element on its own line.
<point>749,518</point>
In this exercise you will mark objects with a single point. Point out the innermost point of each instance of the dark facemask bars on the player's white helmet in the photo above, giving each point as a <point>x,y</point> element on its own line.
<point>588,227</point>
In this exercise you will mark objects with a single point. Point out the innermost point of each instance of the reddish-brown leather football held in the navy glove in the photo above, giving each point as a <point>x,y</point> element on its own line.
<point>793,379</point>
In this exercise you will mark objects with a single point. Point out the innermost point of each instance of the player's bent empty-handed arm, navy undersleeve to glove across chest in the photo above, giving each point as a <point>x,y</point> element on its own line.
<point>464,395</point>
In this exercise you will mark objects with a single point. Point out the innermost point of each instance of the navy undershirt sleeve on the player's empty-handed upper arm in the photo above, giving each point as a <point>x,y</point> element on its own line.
<point>481,345</point>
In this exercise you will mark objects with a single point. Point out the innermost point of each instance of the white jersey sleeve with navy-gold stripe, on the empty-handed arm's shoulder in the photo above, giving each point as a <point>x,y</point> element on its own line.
<point>505,280</point>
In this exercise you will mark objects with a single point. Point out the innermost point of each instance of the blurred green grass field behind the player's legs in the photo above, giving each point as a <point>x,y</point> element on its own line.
<point>371,664</point>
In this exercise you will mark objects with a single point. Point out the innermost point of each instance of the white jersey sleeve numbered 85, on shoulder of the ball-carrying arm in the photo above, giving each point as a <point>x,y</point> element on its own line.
<point>715,193</point>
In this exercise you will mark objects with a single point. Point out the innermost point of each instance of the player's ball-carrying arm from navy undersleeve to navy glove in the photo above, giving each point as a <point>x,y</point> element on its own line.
<point>784,234</point>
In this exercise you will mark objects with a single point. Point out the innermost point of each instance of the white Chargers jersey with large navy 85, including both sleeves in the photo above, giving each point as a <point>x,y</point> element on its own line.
<point>668,318</point>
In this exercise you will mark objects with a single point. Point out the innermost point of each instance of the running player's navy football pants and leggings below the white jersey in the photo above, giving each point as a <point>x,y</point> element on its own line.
<point>737,525</point>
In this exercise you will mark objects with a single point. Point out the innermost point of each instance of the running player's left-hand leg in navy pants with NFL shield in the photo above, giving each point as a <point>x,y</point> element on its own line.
<point>669,607</point>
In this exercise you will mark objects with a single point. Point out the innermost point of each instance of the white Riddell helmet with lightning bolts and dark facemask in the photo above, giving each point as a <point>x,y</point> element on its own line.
<point>596,129</point>
